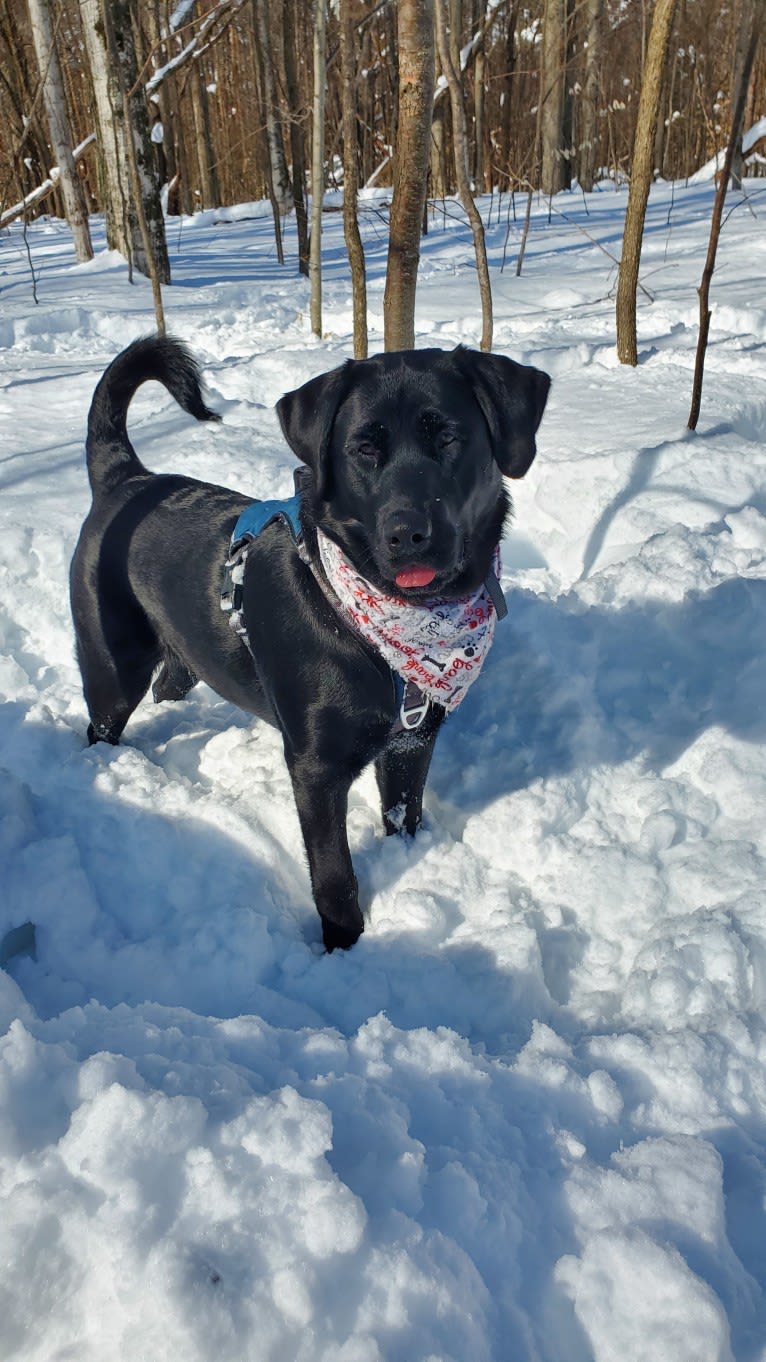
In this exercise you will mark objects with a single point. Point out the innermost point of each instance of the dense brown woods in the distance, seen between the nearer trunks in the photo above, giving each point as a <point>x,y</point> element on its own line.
<point>550,91</point>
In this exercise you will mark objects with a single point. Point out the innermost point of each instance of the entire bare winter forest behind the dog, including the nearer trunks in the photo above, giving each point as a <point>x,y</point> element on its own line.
<point>145,111</point>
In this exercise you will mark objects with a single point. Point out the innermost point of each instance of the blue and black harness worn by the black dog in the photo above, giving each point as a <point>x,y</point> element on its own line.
<point>412,703</point>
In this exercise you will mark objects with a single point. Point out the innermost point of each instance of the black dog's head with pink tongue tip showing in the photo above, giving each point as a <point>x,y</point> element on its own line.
<point>408,453</point>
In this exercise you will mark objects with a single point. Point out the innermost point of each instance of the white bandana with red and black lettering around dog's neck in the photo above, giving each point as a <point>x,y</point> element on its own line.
<point>440,645</point>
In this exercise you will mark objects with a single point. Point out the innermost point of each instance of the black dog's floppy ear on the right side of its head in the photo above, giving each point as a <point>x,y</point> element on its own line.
<point>513,400</point>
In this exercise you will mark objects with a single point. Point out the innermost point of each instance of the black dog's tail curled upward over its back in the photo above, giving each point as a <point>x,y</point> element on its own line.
<point>111,457</point>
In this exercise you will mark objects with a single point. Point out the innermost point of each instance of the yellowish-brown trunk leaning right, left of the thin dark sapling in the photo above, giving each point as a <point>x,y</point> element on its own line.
<point>641,178</point>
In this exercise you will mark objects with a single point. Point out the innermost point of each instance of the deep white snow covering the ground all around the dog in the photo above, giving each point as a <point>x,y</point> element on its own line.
<point>525,1118</point>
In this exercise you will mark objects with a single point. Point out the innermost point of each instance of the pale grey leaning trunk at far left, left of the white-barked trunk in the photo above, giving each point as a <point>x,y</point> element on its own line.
<point>55,103</point>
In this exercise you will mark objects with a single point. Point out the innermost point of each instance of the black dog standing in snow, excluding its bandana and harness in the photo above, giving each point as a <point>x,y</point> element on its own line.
<point>405,460</point>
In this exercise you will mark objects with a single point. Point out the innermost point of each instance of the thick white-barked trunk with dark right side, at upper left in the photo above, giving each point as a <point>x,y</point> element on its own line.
<point>108,36</point>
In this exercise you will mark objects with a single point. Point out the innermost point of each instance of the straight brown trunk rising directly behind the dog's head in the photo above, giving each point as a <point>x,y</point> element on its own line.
<point>411,171</point>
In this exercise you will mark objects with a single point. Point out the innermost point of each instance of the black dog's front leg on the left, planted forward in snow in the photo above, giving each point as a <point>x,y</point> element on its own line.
<point>322,804</point>
